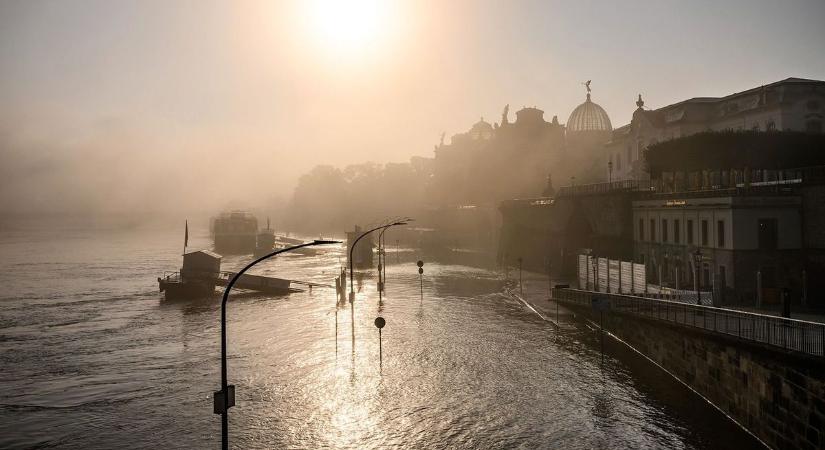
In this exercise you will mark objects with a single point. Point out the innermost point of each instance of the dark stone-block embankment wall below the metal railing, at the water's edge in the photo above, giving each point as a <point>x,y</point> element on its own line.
<point>778,395</point>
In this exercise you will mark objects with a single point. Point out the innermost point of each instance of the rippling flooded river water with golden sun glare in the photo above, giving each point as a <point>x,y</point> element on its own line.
<point>91,356</point>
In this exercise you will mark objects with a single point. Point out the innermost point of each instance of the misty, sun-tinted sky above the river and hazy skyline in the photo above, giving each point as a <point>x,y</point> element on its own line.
<point>159,105</point>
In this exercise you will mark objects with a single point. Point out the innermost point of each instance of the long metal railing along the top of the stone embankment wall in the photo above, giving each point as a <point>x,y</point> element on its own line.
<point>790,334</point>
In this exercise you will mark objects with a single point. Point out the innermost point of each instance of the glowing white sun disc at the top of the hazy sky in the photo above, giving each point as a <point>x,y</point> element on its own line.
<point>350,26</point>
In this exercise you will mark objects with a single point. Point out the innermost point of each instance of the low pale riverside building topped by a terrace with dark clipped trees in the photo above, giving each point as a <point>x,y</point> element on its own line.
<point>733,224</point>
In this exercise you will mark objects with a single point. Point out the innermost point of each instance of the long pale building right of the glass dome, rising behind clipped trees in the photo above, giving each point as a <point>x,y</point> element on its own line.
<point>793,104</point>
